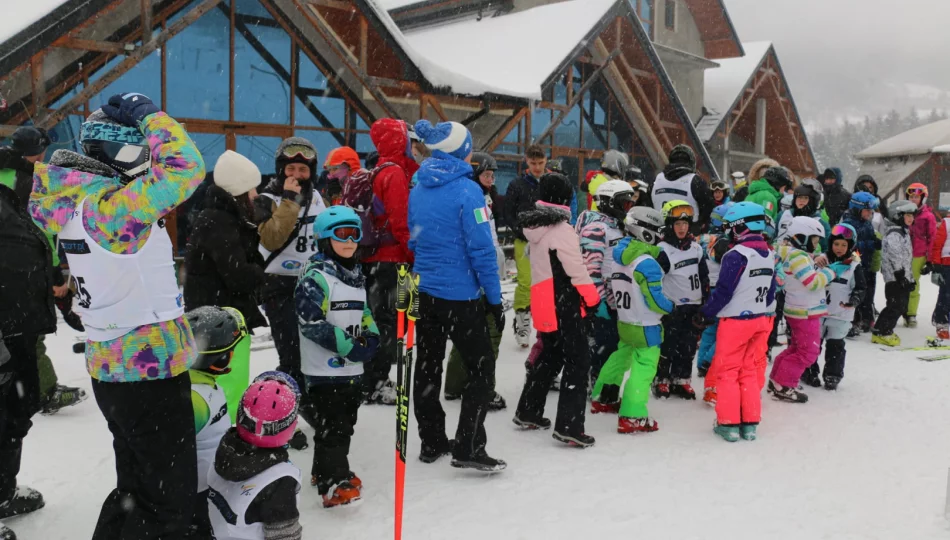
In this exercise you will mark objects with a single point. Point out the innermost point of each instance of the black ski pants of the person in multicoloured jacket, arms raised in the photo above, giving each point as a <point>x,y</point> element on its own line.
<point>153,435</point>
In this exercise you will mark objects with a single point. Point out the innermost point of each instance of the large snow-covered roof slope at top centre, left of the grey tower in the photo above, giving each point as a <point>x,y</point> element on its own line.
<point>511,55</point>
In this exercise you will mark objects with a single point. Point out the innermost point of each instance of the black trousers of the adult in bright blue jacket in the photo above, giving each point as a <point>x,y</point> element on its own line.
<point>465,323</point>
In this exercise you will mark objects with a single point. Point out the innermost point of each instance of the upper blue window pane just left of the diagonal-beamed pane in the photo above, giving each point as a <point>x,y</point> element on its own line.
<point>198,69</point>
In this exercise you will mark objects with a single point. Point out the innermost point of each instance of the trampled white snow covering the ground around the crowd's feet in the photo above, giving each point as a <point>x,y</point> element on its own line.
<point>867,462</point>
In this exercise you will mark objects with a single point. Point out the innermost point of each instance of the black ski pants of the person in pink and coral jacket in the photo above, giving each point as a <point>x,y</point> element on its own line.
<point>565,348</point>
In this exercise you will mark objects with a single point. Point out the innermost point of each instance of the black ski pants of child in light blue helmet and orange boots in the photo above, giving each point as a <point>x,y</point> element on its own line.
<point>335,407</point>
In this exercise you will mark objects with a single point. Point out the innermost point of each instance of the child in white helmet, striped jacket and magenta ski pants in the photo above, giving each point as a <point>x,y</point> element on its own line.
<point>805,305</point>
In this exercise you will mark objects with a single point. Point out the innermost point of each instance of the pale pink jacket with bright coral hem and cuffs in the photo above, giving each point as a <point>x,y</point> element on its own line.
<point>550,234</point>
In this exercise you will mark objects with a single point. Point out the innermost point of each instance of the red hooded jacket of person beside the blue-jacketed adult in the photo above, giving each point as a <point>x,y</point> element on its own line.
<point>391,186</point>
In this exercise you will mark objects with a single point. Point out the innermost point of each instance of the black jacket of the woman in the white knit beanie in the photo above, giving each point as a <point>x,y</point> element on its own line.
<point>223,265</point>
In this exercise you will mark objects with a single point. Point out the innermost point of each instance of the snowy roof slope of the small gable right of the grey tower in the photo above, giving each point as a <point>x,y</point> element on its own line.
<point>724,85</point>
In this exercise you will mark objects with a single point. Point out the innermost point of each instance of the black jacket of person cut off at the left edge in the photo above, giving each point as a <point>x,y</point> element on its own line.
<point>26,280</point>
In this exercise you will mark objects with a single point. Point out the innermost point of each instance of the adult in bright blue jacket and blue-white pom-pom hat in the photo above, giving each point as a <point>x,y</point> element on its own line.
<point>450,234</point>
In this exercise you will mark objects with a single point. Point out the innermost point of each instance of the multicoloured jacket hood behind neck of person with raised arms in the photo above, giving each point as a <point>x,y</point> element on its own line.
<point>68,179</point>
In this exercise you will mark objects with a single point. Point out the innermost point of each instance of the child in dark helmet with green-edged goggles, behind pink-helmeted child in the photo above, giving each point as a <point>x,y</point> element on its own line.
<point>217,332</point>
